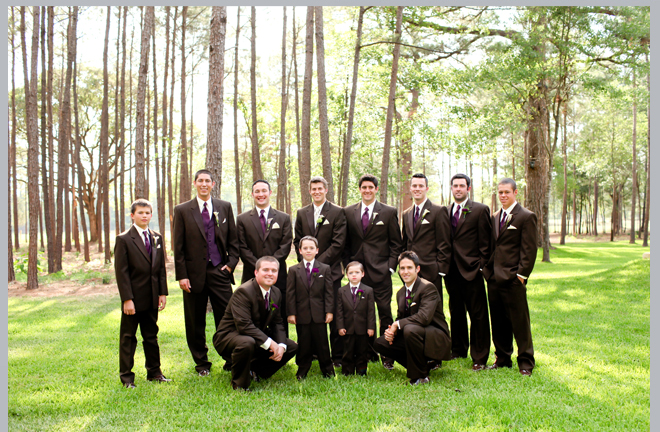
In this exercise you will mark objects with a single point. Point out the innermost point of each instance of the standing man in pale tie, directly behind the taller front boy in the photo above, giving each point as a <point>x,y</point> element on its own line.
<point>325,221</point>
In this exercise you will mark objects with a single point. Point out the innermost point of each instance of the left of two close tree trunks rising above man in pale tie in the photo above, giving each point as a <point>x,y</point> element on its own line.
<point>304,162</point>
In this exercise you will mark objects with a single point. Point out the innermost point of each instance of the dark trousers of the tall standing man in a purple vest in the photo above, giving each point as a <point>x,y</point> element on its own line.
<point>217,288</point>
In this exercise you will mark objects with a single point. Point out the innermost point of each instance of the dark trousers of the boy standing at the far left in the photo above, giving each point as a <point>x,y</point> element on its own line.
<point>147,321</point>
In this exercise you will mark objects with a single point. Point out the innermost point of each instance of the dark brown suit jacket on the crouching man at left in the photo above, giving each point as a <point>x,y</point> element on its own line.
<point>246,315</point>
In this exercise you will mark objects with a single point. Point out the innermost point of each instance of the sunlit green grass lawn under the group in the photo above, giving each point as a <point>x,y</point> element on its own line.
<point>590,321</point>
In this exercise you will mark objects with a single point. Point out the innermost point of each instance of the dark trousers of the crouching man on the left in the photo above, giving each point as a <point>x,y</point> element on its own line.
<point>247,356</point>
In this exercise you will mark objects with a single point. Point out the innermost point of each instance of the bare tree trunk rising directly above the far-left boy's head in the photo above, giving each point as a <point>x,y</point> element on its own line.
<point>147,28</point>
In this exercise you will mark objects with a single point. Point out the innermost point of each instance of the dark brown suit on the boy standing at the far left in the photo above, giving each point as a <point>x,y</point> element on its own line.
<point>141,278</point>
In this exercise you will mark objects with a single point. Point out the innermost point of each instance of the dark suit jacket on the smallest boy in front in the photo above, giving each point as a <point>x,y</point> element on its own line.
<point>356,317</point>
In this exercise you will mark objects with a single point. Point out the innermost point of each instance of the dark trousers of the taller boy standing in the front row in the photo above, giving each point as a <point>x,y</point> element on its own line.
<point>313,338</point>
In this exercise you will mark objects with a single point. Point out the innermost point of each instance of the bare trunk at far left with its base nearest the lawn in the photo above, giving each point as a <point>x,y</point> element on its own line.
<point>32,126</point>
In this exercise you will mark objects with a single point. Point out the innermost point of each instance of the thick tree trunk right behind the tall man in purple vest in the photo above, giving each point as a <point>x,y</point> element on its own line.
<point>214,119</point>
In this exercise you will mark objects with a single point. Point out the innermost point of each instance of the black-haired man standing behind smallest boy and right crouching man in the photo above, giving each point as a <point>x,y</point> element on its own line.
<point>374,239</point>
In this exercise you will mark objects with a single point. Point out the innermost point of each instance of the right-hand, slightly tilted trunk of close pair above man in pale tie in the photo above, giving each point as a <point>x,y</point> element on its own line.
<point>323,102</point>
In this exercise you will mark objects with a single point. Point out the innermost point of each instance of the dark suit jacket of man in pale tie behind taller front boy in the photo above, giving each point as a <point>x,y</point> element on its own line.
<point>330,233</point>
